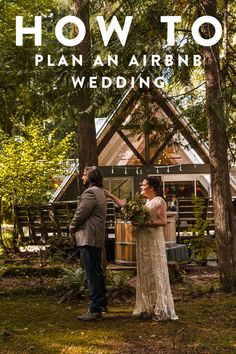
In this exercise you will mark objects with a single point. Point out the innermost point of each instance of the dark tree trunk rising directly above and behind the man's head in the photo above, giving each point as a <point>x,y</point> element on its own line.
<point>86,122</point>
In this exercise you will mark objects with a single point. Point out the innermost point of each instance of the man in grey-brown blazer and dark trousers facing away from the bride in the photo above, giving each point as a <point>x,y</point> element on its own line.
<point>88,229</point>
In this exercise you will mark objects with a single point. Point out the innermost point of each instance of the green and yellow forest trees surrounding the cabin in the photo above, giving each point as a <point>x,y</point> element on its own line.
<point>43,117</point>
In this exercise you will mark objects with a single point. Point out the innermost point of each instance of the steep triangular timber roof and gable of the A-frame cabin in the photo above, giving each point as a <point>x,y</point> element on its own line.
<point>113,143</point>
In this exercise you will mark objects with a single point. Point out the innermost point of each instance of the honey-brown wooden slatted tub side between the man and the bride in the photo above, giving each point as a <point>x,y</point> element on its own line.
<point>125,244</point>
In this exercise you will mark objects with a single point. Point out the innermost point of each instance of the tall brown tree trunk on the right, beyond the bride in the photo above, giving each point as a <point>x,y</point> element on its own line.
<point>225,219</point>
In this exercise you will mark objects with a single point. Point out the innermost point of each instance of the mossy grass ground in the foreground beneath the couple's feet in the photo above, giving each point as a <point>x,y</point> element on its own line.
<point>39,324</point>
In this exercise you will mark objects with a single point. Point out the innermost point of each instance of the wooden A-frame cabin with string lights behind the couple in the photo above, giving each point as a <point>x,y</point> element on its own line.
<point>128,157</point>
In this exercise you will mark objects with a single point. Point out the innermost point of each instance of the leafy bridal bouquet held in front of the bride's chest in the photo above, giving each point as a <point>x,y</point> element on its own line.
<point>134,211</point>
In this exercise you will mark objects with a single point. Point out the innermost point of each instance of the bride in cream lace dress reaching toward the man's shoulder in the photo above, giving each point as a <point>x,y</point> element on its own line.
<point>153,293</point>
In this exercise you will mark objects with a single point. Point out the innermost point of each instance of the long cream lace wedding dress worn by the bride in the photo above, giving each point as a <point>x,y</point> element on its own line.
<point>153,293</point>
